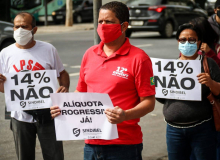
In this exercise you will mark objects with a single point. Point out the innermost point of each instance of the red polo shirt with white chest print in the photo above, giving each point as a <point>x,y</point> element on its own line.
<point>125,76</point>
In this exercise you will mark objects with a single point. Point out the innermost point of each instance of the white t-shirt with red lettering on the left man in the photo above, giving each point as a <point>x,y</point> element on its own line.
<point>42,56</point>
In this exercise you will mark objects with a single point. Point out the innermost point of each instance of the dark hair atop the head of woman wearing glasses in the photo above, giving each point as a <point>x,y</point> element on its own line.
<point>189,26</point>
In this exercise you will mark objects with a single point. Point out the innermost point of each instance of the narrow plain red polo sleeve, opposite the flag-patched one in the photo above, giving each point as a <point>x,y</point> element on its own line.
<point>82,86</point>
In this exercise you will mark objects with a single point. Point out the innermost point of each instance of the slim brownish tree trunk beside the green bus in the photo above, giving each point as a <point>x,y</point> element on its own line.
<point>69,13</point>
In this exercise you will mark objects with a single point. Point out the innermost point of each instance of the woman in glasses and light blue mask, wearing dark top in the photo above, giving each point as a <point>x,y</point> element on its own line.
<point>190,127</point>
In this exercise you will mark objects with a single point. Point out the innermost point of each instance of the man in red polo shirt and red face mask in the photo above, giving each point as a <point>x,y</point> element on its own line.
<point>125,73</point>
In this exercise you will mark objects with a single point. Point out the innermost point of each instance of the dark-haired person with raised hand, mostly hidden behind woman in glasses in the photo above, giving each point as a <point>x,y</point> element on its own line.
<point>209,46</point>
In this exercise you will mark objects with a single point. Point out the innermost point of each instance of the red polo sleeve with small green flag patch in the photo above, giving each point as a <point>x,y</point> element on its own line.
<point>144,79</point>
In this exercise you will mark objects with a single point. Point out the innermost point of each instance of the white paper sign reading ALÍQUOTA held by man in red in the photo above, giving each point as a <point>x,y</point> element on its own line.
<point>82,116</point>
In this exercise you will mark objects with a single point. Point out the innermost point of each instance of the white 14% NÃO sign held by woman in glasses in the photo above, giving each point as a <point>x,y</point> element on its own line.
<point>177,79</point>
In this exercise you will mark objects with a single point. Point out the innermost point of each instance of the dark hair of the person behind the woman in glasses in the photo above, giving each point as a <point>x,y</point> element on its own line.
<point>209,35</point>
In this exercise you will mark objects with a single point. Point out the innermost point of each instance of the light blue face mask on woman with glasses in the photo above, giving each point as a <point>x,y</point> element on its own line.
<point>188,49</point>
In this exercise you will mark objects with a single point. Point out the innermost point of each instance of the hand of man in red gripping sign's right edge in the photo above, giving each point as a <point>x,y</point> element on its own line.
<point>115,115</point>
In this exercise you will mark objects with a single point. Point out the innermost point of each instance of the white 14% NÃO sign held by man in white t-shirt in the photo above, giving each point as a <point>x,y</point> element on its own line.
<point>30,90</point>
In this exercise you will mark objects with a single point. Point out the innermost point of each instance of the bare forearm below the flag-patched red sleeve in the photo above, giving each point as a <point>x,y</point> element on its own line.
<point>144,107</point>
